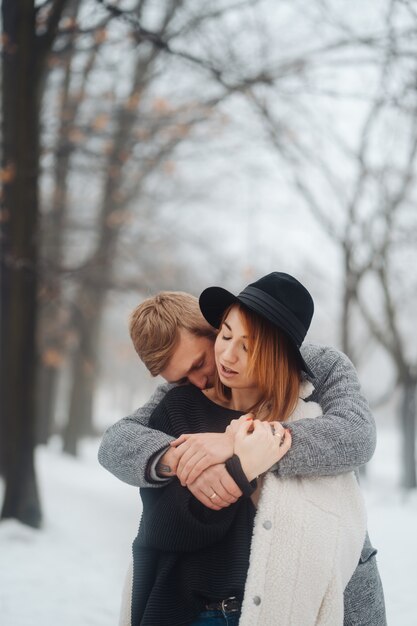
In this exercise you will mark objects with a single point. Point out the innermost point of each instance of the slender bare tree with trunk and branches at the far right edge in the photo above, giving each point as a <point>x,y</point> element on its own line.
<point>395,293</point>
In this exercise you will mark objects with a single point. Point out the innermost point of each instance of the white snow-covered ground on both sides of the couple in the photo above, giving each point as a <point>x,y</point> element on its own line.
<point>71,572</point>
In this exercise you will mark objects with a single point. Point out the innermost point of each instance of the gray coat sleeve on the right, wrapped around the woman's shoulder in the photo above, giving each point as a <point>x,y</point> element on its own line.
<point>344,437</point>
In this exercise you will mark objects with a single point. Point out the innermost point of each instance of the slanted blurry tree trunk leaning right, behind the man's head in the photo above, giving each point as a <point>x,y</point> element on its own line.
<point>96,280</point>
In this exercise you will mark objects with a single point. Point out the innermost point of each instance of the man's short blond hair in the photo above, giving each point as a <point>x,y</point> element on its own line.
<point>154,326</point>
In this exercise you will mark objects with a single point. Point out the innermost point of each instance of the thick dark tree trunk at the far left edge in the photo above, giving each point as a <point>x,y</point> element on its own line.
<point>19,261</point>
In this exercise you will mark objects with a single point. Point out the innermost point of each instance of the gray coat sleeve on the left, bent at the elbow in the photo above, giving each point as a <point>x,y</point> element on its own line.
<point>128,445</point>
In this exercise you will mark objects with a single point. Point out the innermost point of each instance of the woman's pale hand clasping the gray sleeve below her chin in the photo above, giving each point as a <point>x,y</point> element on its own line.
<point>259,445</point>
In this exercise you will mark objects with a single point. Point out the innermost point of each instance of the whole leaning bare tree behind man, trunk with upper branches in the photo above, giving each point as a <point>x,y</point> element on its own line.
<point>160,126</point>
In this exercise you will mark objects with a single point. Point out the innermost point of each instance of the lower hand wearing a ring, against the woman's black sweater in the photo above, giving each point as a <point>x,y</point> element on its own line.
<point>215,488</point>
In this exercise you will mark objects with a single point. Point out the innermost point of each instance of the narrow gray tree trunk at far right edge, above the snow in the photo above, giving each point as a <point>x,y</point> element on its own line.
<point>408,424</point>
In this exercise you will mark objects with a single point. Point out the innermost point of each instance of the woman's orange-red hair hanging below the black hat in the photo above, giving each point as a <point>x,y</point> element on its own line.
<point>272,360</point>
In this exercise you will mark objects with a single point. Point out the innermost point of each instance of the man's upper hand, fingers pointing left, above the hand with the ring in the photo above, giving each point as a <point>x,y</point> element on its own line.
<point>197,452</point>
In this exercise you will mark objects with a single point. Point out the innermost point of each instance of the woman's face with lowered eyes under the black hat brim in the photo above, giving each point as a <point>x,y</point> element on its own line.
<point>231,352</point>
